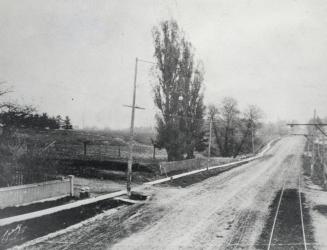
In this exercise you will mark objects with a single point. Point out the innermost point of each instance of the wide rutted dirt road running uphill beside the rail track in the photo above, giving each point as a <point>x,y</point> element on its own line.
<point>228,211</point>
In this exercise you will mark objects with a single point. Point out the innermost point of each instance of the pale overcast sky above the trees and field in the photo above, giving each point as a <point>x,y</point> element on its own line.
<point>76,57</point>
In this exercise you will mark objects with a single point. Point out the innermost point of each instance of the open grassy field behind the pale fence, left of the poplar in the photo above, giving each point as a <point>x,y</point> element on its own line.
<point>29,156</point>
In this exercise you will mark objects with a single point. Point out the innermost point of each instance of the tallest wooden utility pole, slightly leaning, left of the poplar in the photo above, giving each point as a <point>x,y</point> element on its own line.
<point>131,139</point>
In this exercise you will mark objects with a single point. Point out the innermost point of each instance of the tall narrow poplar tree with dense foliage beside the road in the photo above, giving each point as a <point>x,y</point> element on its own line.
<point>177,93</point>
